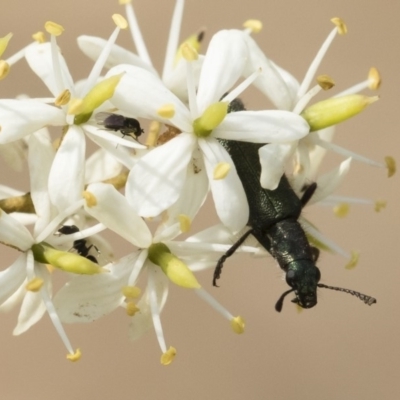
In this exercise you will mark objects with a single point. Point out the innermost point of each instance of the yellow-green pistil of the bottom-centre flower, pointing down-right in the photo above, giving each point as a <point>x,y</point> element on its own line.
<point>175,269</point>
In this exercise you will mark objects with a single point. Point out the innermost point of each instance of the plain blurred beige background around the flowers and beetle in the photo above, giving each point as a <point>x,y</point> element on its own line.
<point>341,349</point>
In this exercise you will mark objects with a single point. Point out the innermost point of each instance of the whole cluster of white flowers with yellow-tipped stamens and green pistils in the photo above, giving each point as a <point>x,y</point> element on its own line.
<point>184,114</point>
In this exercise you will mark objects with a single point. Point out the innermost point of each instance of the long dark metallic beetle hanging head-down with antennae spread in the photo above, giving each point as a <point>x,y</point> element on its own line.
<point>273,221</point>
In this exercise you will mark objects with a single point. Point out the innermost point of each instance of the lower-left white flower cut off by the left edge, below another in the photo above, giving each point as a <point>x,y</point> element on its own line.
<point>27,279</point>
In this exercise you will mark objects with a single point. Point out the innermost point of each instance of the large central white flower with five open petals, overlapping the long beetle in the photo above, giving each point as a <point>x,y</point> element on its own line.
<point>156,181</point>
